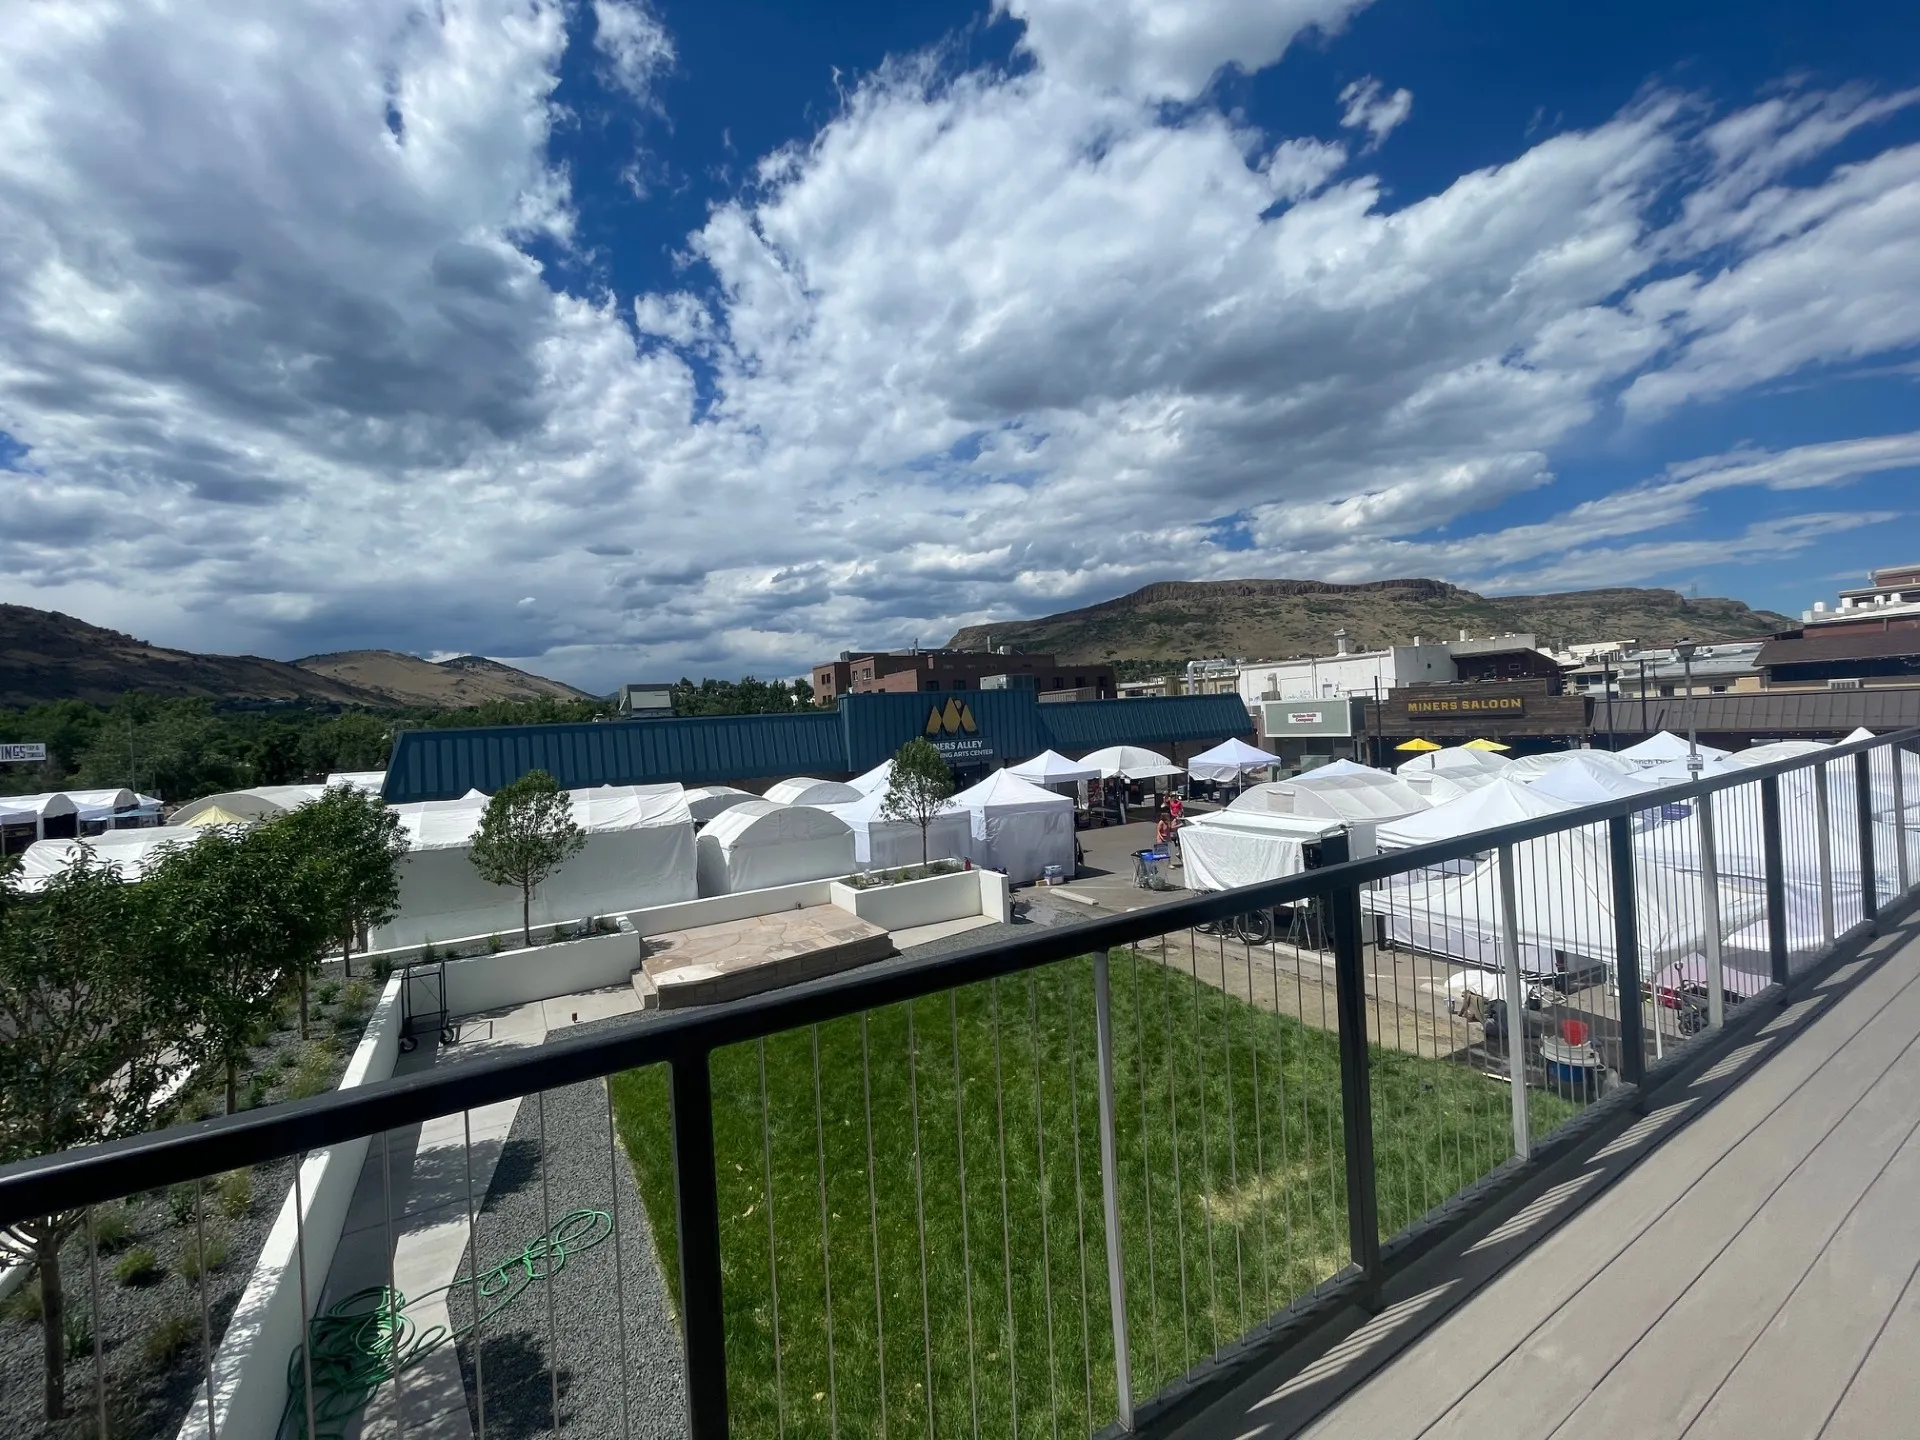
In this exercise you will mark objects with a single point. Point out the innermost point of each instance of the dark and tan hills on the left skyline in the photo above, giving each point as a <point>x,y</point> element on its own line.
<point>55,658</point>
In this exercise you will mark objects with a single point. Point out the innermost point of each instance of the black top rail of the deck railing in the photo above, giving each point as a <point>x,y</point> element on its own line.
<point>185,1153</point>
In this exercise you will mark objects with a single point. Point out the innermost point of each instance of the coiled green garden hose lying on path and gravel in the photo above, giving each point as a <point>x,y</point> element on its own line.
<point>370,1339</point>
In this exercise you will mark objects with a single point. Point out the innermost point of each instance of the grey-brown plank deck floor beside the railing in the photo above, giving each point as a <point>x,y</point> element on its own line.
<point>1756,1278</point>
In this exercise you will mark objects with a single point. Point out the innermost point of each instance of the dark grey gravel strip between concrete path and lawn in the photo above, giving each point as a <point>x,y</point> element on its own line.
<point>583,1308</point>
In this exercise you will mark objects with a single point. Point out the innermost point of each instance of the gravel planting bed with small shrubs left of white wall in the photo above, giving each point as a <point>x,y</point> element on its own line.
<point>153,1383</point>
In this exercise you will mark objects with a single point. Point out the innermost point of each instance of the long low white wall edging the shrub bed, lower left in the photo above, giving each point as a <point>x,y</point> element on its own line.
<point>266,1330</point>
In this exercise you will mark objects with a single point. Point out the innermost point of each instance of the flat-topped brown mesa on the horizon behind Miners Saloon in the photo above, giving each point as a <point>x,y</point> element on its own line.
<point>1280,619</point>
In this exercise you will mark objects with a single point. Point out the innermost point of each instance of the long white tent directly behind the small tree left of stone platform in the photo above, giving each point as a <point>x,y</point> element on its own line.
<point>638,853</point>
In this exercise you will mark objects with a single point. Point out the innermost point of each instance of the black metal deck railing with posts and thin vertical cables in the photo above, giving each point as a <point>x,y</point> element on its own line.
<point>1030,1188</point>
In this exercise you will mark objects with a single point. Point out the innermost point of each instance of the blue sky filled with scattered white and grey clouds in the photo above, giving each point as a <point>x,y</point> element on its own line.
<point>623,339</point>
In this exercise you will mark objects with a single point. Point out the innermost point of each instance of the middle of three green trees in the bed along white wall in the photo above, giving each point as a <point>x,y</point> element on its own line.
<point>245,915</point>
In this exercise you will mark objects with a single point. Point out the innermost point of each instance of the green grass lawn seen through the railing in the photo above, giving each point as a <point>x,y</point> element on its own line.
<point>980,1214</point>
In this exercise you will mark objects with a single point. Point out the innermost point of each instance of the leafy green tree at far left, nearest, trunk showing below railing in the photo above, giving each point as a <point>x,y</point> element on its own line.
<point>93,1015</point>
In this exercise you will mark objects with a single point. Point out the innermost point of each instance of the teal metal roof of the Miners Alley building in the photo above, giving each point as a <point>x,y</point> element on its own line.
<point>1007,725</point>
